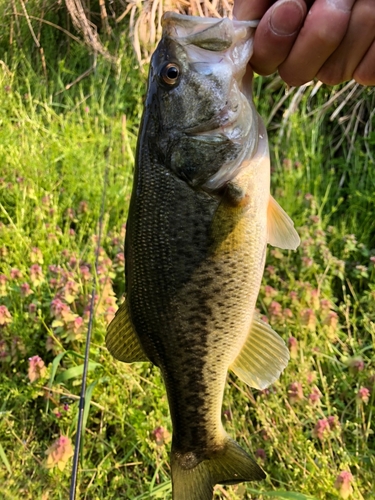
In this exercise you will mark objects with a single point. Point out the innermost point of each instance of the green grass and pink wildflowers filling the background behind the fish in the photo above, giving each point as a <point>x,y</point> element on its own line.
<point>72,83</point>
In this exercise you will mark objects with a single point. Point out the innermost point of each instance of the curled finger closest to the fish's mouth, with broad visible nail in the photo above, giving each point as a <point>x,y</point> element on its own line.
<point>275,35</point>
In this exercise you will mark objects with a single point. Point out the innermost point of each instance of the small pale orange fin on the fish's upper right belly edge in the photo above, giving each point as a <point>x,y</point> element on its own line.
<point>281,232</point>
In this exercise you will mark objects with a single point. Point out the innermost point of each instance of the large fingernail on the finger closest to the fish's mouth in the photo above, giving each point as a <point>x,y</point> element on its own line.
<point>286,18</point>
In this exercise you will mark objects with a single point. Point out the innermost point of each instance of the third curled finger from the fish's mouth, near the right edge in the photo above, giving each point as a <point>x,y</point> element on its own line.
<point>341,65</point>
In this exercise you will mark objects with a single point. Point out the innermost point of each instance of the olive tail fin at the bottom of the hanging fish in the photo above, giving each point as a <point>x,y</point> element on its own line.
<point>230,465</point>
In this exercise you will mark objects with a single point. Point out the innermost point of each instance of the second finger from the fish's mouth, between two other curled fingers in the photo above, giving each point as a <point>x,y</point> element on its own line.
<point>323,30</point>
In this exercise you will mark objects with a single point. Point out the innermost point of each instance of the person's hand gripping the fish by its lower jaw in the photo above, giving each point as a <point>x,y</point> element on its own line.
<point>332,40</point>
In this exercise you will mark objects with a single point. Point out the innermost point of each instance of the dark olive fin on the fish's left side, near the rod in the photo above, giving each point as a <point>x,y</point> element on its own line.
<point>121,339</point>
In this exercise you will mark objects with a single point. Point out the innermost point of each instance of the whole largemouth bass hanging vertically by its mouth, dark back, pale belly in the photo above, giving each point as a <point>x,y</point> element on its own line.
<point>200,218</point>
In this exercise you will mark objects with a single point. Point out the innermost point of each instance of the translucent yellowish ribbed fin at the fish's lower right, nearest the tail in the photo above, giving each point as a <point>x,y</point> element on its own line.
<point>263,357</point>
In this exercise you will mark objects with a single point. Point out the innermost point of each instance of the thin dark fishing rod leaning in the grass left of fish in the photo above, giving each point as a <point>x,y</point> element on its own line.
<point>82,400</point>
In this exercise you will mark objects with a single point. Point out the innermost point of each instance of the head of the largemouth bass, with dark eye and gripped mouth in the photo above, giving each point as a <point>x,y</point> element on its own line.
<point>201,121</point>
